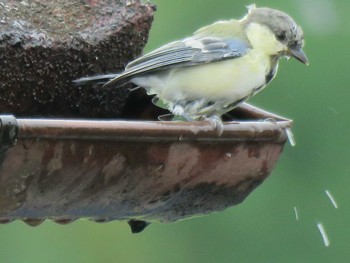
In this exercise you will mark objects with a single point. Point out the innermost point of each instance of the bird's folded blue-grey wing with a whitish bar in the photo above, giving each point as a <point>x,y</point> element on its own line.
<point>188,52</point>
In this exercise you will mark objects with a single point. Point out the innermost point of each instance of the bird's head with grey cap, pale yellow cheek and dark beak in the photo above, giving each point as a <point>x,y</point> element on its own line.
<point>275,32</point>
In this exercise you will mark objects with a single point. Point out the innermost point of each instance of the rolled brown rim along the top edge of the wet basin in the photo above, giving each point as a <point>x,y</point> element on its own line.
<point>270,128</point>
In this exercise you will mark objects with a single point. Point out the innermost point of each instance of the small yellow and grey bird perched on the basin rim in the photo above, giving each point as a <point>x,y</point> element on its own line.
<point>217,68</point>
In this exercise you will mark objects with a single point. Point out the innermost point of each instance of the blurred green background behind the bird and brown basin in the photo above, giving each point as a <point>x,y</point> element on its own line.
<point>264,227</point>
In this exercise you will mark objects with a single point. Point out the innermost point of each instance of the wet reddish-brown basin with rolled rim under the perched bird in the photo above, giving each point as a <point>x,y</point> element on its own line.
<point>64,169</point>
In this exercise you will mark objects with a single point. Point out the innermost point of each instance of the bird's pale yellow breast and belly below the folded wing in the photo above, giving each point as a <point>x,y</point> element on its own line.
<point>230,79</point>
